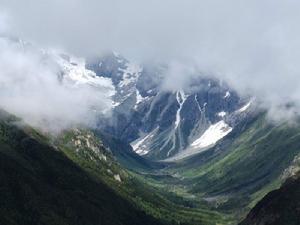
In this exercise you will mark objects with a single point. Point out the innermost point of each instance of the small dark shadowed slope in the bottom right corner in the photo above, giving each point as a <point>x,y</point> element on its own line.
<point>279,207</point>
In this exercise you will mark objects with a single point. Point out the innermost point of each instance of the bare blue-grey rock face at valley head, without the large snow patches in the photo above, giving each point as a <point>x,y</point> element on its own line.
<point>167,121</point>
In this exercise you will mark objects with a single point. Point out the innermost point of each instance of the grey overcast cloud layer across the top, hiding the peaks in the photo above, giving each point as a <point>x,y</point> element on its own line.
<point>254,45</point>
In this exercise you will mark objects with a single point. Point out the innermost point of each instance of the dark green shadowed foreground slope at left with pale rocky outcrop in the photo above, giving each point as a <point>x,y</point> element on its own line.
<point>74,179</point>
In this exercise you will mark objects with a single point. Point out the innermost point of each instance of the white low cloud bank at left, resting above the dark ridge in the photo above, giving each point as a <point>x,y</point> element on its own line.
<point>31,88</point>
